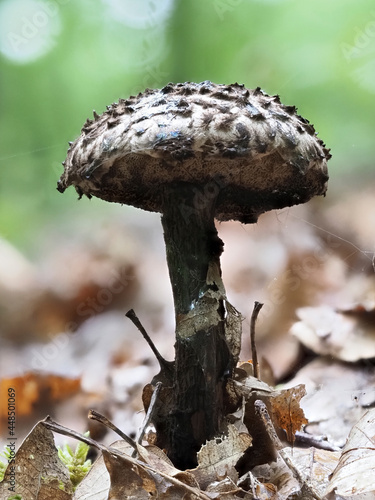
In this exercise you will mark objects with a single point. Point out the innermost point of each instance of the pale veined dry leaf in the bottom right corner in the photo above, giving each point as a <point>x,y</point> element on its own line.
<point>354,476</point>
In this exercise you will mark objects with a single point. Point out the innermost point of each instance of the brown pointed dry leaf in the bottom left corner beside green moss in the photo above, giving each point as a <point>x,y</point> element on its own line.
<point>36,472</point>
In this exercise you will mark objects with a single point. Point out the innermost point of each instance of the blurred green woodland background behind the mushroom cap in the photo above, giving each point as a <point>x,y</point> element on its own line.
<point>60,59</point>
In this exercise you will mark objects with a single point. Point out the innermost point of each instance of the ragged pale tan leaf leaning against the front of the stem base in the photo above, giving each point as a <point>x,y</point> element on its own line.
<point>217,458</point>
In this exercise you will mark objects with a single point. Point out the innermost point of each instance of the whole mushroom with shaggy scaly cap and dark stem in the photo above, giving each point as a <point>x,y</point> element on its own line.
<point>196,152</point>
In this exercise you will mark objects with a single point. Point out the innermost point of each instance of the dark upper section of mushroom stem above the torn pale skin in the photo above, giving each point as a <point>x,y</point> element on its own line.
<point>192,245</point>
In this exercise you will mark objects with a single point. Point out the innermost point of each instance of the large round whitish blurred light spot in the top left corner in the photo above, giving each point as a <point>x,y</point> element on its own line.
<point>28,29</point>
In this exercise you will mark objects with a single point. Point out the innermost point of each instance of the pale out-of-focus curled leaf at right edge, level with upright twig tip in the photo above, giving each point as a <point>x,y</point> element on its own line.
<point>346,335</point>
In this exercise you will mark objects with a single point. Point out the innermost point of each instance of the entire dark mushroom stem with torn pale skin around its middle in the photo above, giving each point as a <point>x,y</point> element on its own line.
<point>203,356</point>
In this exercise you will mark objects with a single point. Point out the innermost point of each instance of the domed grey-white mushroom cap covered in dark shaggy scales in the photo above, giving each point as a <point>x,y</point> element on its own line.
<point>242,145</point>
